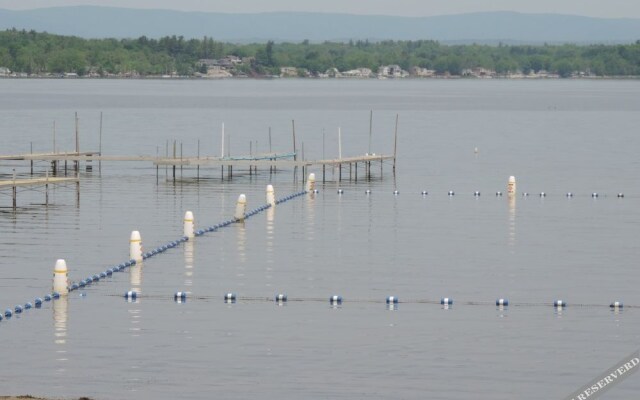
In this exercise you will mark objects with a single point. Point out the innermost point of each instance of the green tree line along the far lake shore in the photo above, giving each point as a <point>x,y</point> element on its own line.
<point>40,53</point>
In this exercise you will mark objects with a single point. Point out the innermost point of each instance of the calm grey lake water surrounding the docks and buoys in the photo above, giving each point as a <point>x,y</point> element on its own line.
<point>554,136</point>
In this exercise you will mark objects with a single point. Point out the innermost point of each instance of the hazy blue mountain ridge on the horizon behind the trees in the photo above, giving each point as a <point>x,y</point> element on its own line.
<point>103,22</point>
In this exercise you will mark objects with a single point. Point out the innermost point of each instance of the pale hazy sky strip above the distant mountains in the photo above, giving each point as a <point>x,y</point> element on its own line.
<point>595,8</point>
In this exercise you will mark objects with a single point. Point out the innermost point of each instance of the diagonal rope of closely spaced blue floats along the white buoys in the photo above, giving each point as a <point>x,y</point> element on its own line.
<point>37,303</point>
